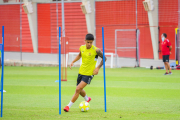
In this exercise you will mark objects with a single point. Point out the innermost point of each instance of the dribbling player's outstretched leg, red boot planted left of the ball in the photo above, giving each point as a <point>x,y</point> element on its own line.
<point>80,86</point>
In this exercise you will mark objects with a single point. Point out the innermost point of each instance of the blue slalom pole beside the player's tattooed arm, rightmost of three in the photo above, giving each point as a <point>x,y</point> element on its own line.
<point>104,72</point>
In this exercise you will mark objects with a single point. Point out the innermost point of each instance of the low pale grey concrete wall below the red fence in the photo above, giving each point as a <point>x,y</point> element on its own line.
<point>36,59</point>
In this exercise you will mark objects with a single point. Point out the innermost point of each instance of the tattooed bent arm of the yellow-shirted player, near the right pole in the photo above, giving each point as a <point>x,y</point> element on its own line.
<point>100,54</point>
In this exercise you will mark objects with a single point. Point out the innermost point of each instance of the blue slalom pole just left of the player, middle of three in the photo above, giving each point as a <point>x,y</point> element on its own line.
<point>60,70</point>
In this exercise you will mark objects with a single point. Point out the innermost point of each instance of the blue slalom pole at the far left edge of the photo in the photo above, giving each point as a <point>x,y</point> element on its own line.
<point>2,74</point>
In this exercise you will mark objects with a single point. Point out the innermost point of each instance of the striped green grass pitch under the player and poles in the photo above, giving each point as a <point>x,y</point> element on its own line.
<point>132,94</point>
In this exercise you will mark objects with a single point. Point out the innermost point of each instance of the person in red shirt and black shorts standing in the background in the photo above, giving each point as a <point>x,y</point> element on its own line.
<point>166,51</point>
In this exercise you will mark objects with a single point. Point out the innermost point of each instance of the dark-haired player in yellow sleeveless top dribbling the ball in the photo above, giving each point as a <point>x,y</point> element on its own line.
<point>89,54</point>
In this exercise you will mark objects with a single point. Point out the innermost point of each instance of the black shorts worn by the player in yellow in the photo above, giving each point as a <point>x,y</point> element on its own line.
<point>86,79</point>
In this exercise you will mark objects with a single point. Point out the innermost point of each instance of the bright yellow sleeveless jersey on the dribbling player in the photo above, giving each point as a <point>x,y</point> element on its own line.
<point>89,59</point>
